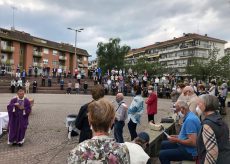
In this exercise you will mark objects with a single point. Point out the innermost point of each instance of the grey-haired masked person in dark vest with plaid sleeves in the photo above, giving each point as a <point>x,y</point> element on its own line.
<point>213,139</point>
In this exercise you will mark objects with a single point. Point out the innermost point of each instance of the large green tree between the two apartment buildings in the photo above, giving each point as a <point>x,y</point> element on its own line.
<point>111,54</point>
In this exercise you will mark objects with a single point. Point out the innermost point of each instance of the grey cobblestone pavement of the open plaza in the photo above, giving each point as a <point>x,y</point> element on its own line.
<point>46,137</point>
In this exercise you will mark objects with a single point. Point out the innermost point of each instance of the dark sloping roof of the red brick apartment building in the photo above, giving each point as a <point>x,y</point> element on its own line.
<point>24,37</point>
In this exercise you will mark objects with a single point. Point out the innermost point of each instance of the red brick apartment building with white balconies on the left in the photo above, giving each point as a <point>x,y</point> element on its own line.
<point>21,49</point>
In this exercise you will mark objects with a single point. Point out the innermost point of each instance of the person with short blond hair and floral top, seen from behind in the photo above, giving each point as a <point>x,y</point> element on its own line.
<point>101,148</point>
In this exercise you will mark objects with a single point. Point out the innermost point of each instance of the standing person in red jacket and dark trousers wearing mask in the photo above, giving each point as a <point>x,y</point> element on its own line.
<point>151,102</point>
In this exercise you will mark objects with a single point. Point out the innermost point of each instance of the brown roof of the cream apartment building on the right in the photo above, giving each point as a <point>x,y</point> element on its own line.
<point>186,37</point>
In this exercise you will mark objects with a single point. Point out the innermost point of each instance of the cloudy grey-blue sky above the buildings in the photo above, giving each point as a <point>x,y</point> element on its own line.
<point>137,23</point>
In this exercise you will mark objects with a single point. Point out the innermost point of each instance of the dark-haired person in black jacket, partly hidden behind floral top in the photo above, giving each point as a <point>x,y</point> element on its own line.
<point>82,119</point>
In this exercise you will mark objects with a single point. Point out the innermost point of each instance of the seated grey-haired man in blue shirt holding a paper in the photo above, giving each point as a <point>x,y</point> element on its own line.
<point>183,146</point>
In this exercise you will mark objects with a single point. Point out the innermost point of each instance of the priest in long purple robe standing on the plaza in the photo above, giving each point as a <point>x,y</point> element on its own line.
<point>19,109</point>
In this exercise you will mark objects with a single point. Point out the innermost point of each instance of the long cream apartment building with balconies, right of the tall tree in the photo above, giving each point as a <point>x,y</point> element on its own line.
<point>175,54</point>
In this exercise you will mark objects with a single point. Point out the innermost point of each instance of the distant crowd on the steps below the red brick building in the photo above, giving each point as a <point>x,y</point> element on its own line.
<point>74,81</point>
